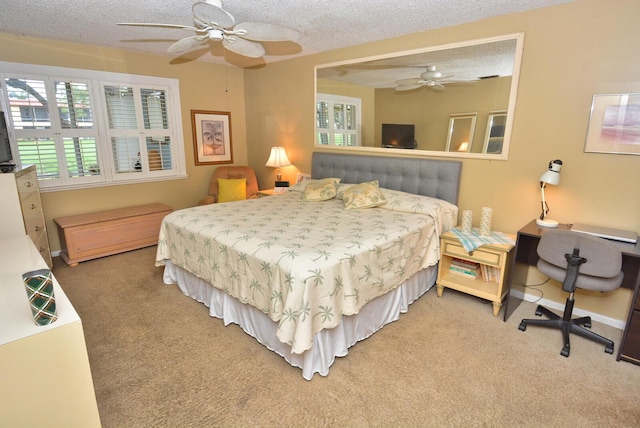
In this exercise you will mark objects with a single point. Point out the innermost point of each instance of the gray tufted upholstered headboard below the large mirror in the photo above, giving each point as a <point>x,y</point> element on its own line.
<point>429,177</point>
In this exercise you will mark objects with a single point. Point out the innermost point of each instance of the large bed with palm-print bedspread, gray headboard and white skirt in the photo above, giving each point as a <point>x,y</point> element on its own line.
<point>310,279</point>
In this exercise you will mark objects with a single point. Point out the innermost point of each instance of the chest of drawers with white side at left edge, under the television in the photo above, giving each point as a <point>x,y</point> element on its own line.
<point>22,208</point>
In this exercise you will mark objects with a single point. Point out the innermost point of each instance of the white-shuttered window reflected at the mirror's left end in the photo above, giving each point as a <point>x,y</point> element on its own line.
<point>337,120</point>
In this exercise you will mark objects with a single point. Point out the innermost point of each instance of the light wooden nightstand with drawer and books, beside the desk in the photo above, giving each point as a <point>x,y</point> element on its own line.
<point>493,262</point>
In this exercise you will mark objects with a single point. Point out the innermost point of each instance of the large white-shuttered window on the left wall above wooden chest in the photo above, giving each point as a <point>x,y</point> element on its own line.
<point>93,128</point>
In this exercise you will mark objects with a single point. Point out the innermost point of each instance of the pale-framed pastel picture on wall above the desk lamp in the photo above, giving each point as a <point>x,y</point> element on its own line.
<point>614,125</point>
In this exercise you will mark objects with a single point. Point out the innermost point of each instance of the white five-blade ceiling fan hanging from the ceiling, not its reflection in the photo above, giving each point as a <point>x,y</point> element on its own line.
<point>212,23</point>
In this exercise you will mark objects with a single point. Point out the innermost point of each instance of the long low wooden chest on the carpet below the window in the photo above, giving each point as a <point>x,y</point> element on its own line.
<point>89,236</point>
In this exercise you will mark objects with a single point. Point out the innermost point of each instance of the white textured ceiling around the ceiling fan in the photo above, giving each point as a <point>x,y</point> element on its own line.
<point>324,24</point>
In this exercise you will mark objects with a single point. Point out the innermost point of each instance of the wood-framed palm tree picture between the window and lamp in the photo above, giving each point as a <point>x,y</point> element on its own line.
<point>211,137</point>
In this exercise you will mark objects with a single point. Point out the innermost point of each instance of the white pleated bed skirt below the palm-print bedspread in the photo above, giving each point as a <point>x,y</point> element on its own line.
<point>327,344</point>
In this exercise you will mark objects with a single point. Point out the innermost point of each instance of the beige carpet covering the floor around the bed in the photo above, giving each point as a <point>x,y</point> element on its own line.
<point>159,360</point>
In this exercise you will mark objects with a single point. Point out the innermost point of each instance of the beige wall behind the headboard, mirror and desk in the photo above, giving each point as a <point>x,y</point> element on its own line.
<point>571,52</point>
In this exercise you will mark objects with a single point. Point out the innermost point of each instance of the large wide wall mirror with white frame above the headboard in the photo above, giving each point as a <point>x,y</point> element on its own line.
<point>425,92</point>
